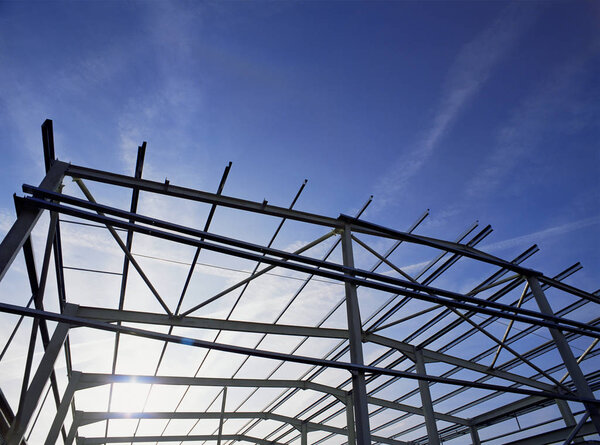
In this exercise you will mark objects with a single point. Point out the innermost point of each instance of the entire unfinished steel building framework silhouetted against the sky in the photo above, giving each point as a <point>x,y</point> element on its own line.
<point>474,391</point>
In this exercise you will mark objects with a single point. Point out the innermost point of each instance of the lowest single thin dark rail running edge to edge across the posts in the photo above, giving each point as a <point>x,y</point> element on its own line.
<point>77,321</point>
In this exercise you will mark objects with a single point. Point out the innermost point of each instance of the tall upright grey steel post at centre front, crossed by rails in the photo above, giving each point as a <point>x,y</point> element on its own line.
<point>359,387</point>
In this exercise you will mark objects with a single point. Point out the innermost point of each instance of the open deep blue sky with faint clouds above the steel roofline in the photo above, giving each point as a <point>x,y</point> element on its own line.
<point>484,111</point>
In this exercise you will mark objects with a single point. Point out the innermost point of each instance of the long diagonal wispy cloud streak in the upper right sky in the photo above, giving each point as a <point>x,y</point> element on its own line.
<point>472,67</point>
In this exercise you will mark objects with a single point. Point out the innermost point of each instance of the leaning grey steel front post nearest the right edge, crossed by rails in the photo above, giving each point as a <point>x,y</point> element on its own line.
<point>583,389</point>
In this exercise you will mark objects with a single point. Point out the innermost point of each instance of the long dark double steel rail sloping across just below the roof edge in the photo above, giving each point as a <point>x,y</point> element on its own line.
<point>384,283</point>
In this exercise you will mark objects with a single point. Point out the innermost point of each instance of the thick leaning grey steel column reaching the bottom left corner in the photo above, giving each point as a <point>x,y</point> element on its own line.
<point>34,393</point>
